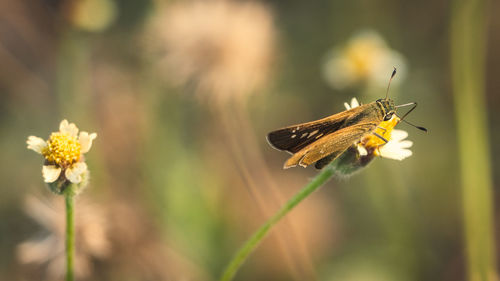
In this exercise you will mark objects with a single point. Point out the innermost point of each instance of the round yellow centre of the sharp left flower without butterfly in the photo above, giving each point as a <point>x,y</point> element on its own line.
<point>62,149</point>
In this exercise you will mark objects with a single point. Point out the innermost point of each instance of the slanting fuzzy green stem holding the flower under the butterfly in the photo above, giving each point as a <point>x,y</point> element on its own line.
<point>252,243</point>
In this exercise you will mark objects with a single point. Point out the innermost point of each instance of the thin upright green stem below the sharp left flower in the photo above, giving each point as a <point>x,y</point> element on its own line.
<point>70,235</point>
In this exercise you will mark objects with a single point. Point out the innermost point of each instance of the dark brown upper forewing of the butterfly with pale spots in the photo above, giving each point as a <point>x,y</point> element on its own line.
<point>296,137</point>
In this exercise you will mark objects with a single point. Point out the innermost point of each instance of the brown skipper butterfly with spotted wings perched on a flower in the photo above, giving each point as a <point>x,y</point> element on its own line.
<point>322,141</point>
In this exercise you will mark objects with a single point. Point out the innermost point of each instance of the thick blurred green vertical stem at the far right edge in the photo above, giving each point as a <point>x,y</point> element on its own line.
<point>468,56</point>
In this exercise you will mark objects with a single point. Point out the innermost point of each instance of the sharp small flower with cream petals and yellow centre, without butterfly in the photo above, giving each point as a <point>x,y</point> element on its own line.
<point>63,153</point>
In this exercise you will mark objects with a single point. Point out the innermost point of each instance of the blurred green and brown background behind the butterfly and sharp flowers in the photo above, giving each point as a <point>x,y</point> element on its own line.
<point>182,95</point>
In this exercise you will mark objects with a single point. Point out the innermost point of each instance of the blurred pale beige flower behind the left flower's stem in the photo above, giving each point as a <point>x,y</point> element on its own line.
<point>48,250</point>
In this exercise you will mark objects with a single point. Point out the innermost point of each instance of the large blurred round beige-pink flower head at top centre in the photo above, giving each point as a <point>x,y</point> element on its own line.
<point>222,47</point>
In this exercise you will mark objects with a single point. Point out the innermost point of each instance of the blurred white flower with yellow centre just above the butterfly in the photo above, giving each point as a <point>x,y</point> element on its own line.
<point>365,58</point>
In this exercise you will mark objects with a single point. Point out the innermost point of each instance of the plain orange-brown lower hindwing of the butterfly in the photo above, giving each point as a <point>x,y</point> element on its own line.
<point>329,147</point>
